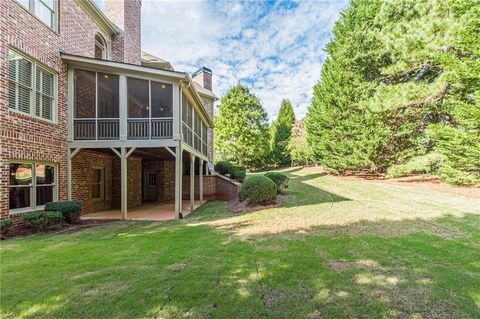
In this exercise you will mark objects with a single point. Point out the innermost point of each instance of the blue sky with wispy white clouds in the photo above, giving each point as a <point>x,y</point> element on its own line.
<point>274,47</point>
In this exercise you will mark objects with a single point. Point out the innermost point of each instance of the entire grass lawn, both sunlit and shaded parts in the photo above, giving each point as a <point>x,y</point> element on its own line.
<point>340,248</point>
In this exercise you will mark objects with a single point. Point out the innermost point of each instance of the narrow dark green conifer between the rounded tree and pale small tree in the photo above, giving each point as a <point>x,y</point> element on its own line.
<point>280,133</point>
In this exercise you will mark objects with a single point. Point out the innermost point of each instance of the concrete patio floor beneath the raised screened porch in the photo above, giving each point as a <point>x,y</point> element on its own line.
<point>157,211</point>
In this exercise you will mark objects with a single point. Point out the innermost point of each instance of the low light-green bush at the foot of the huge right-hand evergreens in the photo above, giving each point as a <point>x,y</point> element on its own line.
<point>424,164</point>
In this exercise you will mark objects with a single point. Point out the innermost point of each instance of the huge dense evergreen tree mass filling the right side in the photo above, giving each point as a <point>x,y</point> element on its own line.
<point>402,80</point>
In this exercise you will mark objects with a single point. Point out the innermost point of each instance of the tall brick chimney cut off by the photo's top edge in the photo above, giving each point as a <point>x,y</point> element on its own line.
<point>126,14</point>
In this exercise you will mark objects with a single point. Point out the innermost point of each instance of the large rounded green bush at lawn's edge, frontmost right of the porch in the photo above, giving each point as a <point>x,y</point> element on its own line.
<point>258,189</point>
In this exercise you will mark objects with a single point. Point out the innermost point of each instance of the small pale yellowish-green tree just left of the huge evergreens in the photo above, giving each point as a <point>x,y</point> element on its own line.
<point>297,145</point>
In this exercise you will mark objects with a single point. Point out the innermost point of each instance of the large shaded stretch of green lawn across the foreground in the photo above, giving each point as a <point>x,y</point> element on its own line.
<point>199,271</point>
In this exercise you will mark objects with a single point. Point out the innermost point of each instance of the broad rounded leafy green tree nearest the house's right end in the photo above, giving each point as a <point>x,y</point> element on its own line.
<point>241,128</point>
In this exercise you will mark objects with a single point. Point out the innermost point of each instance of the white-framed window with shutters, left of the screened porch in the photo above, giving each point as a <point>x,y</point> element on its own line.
<point>31,87</point>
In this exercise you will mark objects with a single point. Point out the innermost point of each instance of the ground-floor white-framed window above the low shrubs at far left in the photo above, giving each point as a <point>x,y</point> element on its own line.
<point>31,185</point>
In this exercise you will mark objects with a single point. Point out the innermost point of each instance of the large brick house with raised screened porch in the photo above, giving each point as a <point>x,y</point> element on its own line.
<point>85,115</point>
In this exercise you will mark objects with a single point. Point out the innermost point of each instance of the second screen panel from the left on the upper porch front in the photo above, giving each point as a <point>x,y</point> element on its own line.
<point>108,106</point>
